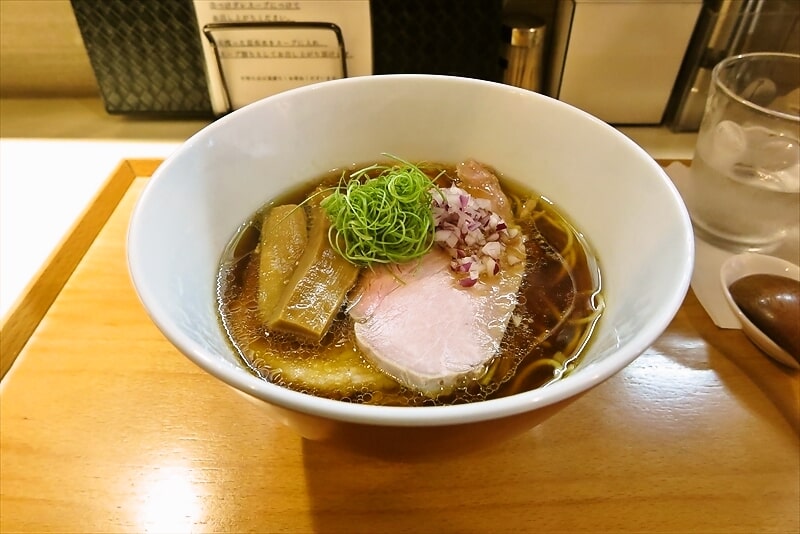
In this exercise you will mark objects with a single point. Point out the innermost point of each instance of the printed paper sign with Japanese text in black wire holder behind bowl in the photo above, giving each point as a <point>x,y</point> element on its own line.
<point>257,48</point>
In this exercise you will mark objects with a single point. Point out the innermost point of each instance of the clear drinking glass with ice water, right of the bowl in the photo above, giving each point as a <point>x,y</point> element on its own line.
<point>745,176</point>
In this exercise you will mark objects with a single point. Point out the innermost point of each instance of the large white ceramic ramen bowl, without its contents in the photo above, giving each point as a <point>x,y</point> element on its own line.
<point>614,193</point>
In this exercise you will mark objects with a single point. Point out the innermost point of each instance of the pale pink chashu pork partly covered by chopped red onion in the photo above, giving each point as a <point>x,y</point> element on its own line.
<point>417,324</point>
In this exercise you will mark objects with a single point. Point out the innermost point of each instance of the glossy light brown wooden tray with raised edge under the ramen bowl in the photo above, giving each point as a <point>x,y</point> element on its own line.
<point>105,427</point>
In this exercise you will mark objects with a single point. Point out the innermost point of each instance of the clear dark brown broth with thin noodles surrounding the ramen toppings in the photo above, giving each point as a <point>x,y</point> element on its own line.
<point>558,306</point>
